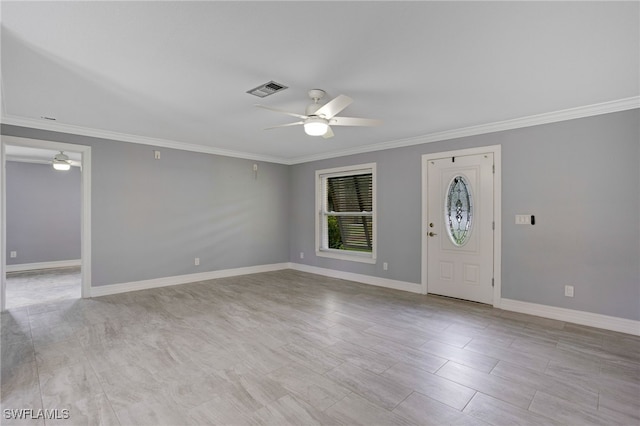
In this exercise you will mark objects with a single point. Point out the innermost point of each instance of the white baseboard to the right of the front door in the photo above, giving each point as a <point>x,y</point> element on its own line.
<point>590,319</point>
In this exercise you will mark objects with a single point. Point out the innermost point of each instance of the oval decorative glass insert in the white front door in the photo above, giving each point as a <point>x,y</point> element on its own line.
<point>459,211</point>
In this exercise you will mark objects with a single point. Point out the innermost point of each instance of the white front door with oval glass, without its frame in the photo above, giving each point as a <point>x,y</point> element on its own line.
<point>460,226</point>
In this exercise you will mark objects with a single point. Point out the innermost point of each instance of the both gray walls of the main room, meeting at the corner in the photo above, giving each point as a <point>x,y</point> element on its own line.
<point>580,178</point>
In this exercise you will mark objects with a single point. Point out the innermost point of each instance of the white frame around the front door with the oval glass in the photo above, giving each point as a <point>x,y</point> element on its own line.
<point>497,213</point>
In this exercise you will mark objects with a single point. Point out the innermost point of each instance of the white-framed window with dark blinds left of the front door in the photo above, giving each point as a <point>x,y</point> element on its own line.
<point>346,222</point>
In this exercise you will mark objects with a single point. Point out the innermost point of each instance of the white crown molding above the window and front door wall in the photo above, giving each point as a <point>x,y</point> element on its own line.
<point>516,123</point>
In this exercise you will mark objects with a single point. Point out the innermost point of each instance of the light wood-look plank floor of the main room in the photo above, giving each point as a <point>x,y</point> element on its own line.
<point>288,347</point>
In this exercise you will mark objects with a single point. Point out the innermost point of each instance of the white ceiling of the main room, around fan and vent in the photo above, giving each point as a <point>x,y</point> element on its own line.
<point>176,73</point>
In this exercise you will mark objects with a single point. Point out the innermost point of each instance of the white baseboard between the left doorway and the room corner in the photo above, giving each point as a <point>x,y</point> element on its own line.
<point>183,279</point>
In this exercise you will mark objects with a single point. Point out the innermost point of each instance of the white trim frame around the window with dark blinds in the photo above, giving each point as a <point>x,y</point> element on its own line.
<point>320,231</point>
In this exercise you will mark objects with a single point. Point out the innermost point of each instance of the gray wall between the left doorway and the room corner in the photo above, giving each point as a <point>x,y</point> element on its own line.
<point>151,218</point>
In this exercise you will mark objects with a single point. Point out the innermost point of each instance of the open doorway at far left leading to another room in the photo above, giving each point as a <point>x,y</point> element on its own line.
<point>46,222</point>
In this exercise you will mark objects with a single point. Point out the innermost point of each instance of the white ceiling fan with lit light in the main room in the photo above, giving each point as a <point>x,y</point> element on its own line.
<point>319,118</point>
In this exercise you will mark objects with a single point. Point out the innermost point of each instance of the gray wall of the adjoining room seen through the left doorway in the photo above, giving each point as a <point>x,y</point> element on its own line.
<point>43,213</point>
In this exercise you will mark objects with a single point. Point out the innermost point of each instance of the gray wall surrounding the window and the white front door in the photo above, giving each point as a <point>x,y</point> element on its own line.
<point>580,178</point>
